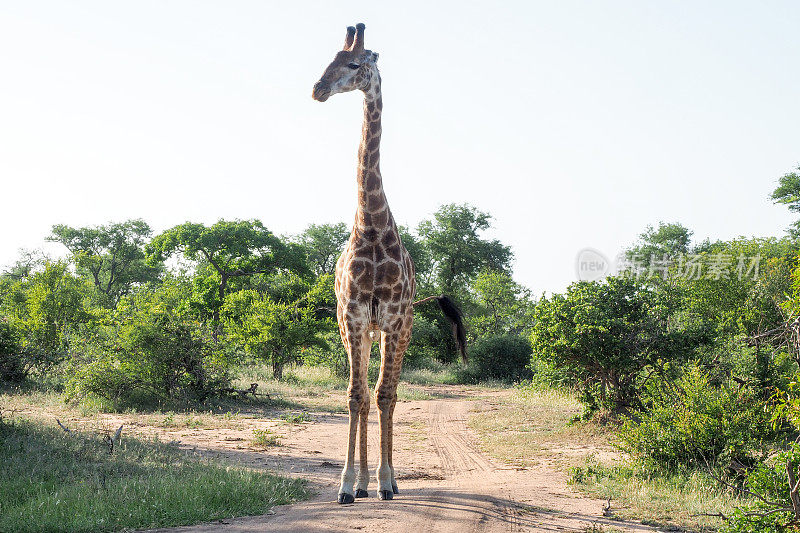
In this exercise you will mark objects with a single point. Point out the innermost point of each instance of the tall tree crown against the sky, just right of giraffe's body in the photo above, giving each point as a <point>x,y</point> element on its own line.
<point>457,250</point>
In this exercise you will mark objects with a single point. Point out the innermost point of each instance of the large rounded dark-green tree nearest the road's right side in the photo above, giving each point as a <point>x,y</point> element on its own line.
<point>608,332</point>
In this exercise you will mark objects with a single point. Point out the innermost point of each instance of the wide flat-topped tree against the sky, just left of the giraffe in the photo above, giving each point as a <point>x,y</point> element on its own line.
<point>229,250</point>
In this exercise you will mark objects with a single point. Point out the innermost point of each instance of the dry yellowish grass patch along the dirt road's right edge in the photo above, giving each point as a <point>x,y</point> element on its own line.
<point>537,423</point>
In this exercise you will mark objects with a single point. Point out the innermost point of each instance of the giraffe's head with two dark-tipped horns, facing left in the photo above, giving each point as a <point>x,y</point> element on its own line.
<point>351,69</point>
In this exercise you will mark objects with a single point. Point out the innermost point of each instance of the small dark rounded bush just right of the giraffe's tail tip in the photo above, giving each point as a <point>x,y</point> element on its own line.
<point>502,357</point>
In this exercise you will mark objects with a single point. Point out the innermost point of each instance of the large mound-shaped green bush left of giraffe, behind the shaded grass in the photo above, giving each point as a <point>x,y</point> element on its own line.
<point>150,350</point>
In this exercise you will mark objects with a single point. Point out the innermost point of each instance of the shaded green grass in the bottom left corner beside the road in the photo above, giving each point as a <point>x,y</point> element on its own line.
<point>56,481</point>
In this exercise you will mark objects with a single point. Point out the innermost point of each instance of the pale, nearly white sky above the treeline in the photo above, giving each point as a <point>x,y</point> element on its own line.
<point>575,124</point>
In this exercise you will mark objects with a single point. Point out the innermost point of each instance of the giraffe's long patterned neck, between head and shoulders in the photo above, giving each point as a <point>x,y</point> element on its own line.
<point>373,210</point>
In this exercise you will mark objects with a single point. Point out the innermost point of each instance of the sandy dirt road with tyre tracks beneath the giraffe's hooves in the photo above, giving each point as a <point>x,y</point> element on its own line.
<point>446,484</point>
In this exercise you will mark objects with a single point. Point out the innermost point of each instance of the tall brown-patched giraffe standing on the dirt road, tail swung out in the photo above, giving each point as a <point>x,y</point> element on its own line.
<point>374,283</point>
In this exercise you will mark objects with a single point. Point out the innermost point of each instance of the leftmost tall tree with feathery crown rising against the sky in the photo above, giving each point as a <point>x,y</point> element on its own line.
<point>111,256</point>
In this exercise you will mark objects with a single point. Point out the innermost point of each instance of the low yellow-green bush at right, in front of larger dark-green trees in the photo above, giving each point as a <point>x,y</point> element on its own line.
<point>692,423</point>
